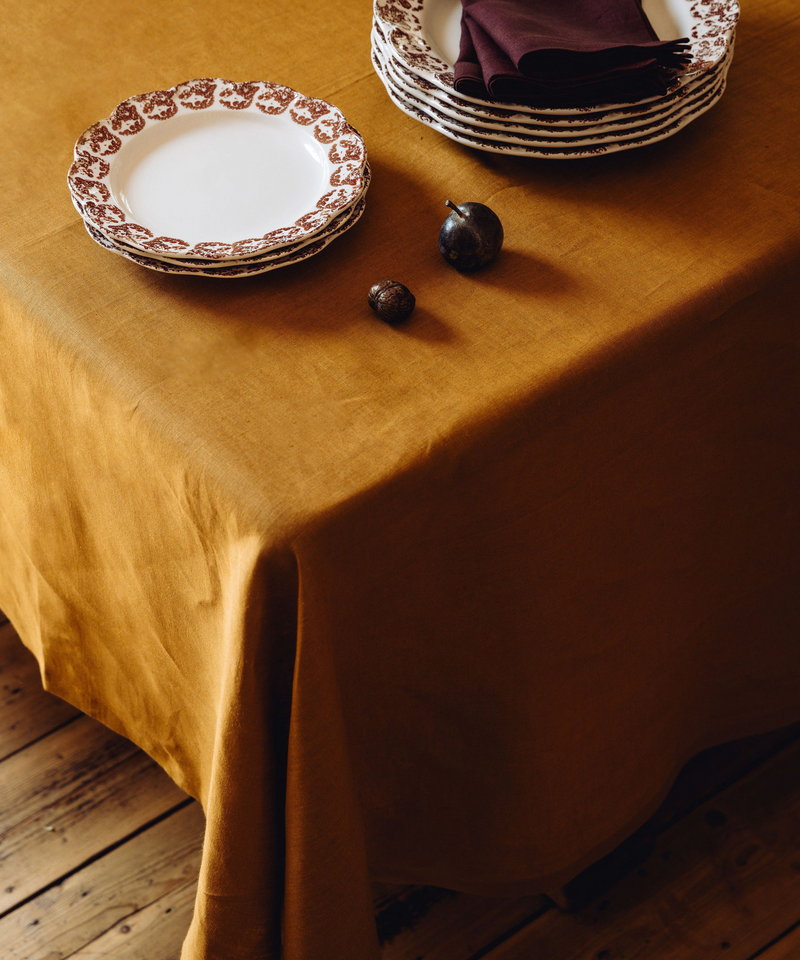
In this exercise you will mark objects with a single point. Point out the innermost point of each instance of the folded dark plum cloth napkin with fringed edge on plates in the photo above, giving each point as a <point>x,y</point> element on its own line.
<point>563,52</point>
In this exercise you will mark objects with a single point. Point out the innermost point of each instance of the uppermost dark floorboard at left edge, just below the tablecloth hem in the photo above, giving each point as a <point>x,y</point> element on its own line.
<point>27,711</point>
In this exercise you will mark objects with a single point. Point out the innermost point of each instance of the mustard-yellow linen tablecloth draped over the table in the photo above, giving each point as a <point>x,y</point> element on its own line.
<point>448,603</point>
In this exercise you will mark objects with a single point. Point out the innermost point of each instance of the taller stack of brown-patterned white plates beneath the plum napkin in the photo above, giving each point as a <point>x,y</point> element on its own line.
<point>415,46</point>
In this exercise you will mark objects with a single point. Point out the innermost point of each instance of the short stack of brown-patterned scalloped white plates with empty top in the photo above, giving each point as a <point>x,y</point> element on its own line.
<point>219,178</point>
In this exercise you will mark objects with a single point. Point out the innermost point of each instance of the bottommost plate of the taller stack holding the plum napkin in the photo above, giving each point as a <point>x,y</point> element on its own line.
<point>544,153</point>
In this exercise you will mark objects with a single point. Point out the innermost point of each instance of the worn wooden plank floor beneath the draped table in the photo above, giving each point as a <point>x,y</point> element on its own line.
<point>99,854</point>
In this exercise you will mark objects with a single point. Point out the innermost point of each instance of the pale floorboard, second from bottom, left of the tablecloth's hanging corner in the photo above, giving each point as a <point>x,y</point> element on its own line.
<point>87,904</point>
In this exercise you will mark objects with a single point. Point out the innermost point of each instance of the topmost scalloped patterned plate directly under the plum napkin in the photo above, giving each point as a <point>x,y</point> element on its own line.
<point>425,36</point>
